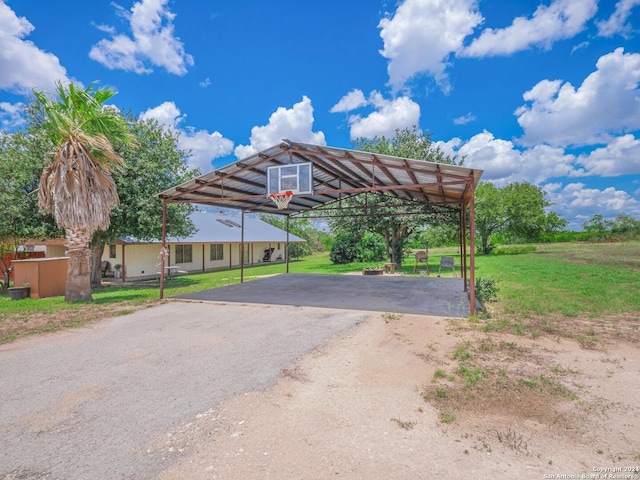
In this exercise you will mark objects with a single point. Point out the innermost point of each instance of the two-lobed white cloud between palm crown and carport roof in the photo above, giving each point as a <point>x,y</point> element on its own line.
<point>203,147</point>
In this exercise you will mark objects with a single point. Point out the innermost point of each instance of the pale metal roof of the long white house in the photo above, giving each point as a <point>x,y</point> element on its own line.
<point>221,228</point>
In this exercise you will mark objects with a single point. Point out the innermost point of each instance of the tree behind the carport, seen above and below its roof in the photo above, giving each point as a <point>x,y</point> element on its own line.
<point>387,215</point>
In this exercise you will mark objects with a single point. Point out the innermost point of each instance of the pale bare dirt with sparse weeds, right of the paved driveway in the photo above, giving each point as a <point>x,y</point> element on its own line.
<point>367,405</point>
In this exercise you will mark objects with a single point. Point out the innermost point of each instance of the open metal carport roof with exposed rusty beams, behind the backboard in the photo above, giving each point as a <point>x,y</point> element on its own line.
<point>337,173</point>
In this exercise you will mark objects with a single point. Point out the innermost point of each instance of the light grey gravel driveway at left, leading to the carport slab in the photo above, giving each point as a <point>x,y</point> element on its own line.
<point>96,402</point>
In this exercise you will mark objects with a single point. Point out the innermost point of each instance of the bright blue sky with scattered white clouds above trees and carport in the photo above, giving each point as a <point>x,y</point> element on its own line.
<point>539,91</point>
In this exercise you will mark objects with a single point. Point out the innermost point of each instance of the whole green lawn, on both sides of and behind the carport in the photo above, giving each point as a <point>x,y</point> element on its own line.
<point>572,280</point>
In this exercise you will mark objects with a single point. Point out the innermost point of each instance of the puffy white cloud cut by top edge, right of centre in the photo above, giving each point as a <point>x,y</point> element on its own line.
<point>422,34</point>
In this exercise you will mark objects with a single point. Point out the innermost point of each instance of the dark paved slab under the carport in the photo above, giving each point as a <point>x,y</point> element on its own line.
<point>435,296</point>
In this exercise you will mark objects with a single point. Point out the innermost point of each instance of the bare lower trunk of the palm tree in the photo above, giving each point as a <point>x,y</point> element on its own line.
<point>79,273</point>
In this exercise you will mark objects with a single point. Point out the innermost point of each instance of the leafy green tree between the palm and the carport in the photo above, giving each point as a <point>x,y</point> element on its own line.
<point>152,163</point>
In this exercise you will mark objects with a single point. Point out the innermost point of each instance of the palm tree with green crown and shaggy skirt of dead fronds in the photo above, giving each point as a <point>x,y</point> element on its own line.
<point>76,186</point>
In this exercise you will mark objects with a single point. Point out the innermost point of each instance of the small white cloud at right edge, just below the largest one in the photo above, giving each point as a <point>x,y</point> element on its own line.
<point>620,157</point>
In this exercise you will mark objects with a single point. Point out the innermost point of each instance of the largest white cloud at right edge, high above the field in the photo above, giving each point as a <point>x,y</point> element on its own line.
<point>605,104</point>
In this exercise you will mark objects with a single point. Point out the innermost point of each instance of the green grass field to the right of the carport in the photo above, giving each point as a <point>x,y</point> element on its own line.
<point>576,280</point>
